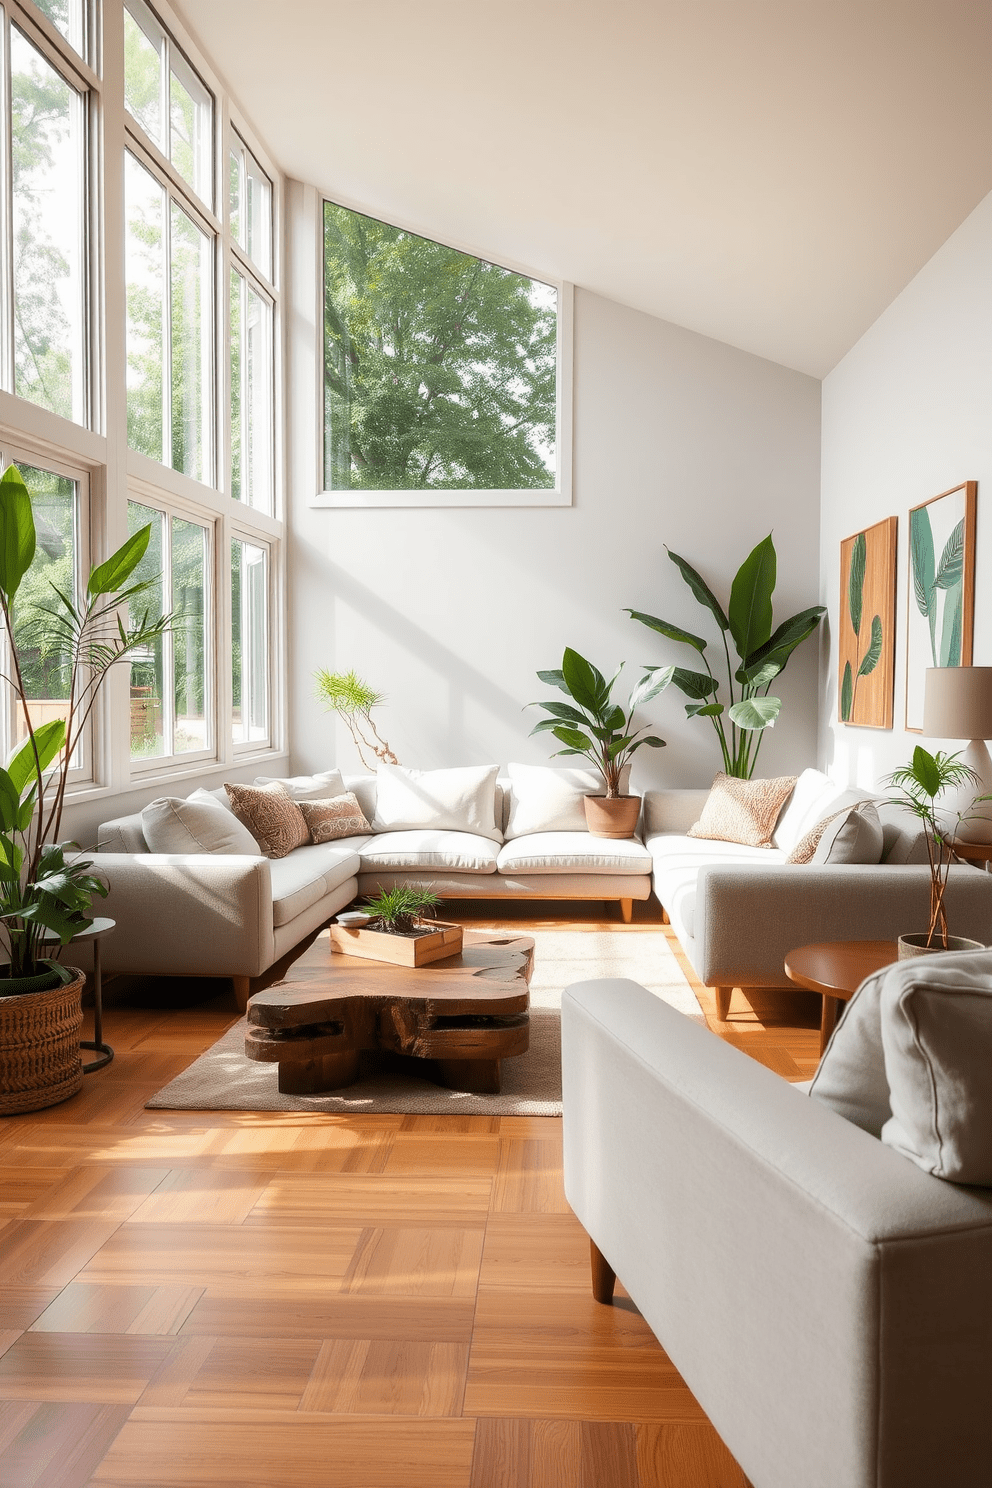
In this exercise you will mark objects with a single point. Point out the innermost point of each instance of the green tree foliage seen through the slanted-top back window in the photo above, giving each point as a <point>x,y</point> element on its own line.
<point>439,370</point>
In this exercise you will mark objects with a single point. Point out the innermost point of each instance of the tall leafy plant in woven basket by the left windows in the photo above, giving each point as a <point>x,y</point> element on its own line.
<point>45,891</point>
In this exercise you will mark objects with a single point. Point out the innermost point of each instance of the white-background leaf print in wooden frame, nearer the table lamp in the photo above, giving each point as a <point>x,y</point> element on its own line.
<point>941,620</point>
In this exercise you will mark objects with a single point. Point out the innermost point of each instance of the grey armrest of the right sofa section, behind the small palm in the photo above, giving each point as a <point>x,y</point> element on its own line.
<point>747,919</point>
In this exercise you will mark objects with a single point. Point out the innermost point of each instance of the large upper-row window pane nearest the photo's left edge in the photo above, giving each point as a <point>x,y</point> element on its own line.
<point>45,322</point>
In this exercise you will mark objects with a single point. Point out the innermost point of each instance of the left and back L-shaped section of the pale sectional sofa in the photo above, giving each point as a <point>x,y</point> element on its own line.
<point>234,916</point>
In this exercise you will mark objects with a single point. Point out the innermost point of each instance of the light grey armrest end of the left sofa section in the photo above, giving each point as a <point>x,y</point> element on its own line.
<point>187,914</point>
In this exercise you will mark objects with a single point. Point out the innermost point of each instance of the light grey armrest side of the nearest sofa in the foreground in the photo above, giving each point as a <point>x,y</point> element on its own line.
<point>826,1301</point>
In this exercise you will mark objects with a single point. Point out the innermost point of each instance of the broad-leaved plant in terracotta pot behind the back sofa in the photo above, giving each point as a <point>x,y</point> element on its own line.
<point>603,731</point>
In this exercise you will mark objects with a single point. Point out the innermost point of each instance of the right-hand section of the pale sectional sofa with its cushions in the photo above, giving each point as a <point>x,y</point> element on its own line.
<point>740,910</point>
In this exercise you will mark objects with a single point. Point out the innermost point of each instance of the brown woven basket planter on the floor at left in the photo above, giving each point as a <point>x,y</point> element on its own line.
<point>39,1048</point>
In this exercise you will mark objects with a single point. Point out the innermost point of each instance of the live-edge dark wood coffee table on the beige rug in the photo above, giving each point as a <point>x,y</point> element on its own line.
<point>465,1014</point>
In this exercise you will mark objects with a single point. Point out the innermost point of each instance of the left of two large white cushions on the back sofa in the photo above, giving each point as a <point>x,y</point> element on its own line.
<point>459,800</point>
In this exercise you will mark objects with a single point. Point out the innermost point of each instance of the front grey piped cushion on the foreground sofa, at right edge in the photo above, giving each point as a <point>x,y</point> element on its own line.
<point>938,1039</point>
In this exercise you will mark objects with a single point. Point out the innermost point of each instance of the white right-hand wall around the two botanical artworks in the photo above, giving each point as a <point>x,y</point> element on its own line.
<point>906,416</point>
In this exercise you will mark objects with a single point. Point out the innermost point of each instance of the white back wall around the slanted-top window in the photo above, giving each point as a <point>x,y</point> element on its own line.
<point>677,440</point>
